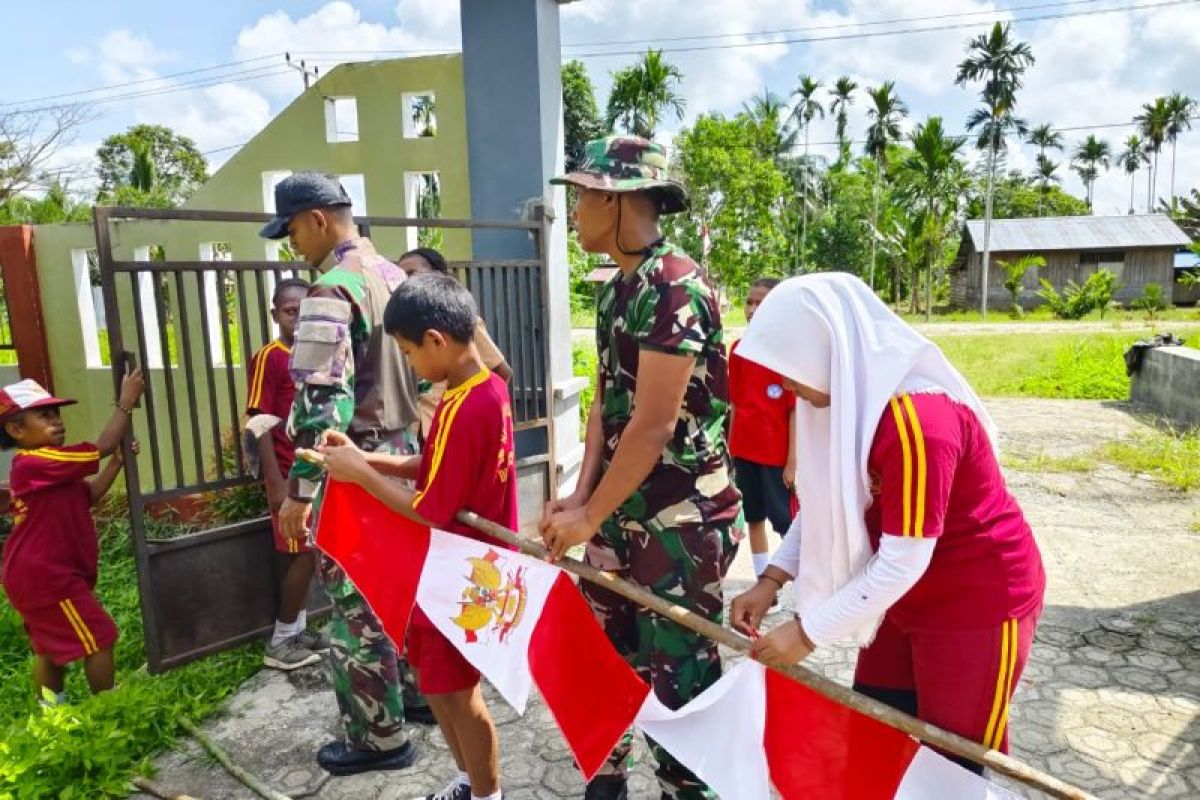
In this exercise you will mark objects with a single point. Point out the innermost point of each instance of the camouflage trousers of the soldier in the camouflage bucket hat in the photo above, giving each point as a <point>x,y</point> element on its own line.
<point>685,567</point>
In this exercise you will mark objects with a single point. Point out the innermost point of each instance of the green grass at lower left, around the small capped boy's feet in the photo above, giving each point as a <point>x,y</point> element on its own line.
<point>92,748</point>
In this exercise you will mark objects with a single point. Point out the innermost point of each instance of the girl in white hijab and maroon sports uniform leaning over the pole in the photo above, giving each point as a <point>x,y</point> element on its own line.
<point>908,542</point>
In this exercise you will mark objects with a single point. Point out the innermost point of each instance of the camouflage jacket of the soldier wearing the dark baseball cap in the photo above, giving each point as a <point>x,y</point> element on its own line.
<point>350,375</point>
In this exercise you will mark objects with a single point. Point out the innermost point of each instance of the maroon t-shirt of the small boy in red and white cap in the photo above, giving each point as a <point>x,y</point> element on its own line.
<point>52,549</point>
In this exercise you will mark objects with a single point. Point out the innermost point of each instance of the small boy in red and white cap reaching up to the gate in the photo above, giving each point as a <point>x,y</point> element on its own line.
<point>51,556</point>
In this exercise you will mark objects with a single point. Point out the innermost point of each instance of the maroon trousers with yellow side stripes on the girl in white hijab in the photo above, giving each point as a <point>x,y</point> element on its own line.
<point>964,679</point>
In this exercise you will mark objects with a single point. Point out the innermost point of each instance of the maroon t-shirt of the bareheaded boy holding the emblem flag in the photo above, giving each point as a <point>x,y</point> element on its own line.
<point>469,461</point>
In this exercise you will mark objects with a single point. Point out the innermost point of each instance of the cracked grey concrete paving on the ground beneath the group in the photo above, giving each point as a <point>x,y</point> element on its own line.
<point>1111,699</point>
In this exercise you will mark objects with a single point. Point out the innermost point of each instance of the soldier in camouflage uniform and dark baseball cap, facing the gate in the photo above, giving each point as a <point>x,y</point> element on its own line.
<point>352,378</point>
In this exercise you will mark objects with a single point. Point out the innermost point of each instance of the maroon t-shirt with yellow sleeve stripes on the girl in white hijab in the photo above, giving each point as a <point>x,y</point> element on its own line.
<point>935,476</point>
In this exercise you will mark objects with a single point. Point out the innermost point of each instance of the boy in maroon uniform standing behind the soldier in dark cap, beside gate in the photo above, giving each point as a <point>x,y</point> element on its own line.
<point>271,395</point>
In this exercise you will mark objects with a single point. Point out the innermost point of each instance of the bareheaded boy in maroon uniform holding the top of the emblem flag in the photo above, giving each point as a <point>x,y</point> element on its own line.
<point>469,465</point>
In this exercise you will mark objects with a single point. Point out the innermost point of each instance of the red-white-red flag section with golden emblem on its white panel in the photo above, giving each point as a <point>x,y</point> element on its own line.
<point>519,621</point>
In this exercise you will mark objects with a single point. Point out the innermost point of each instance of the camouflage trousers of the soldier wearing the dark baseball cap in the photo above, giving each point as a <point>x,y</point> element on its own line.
<point>368,673</point>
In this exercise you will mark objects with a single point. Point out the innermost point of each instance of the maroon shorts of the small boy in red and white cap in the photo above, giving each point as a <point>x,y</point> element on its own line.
<point>73,629</point>
